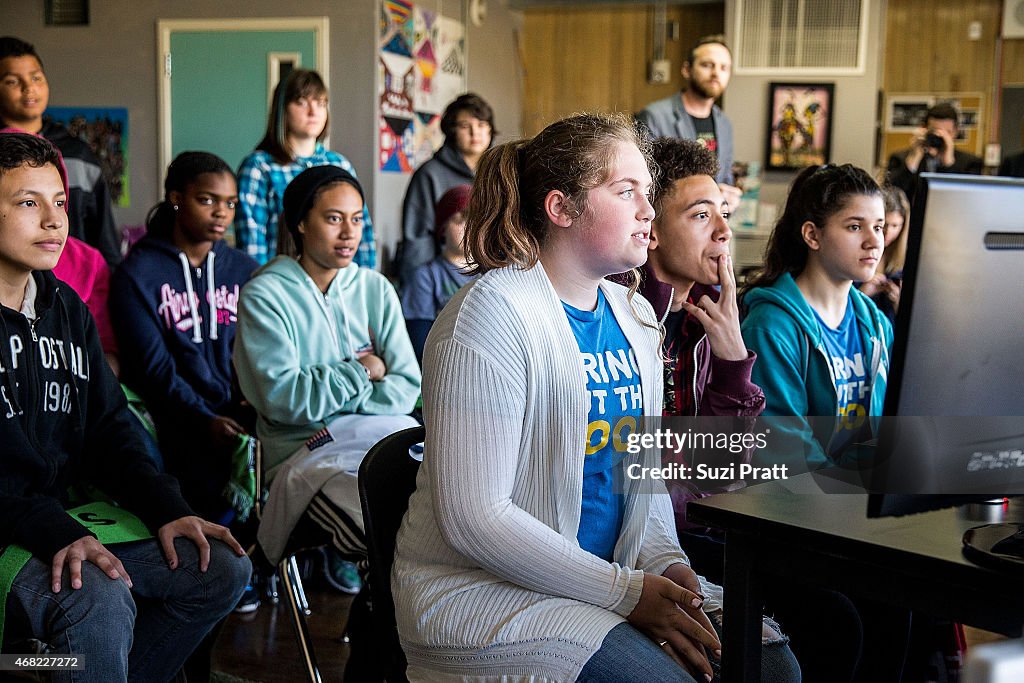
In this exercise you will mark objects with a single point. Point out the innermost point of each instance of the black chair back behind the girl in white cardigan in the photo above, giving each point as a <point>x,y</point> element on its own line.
<point>388,480</point>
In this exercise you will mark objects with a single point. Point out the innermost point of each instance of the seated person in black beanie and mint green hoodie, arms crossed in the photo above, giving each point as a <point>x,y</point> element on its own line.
<point>323,355</point>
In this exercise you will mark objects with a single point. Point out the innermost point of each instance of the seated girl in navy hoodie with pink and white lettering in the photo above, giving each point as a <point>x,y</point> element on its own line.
<point>175,307</point>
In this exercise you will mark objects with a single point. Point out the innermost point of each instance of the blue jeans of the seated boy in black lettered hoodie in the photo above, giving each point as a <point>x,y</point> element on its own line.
<point>141,634</point>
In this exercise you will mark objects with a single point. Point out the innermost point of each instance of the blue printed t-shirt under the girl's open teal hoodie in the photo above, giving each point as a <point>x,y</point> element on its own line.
<point>846,353</point>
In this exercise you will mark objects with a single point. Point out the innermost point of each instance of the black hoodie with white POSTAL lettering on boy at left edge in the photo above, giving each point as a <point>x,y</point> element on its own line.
<point>64,420</point>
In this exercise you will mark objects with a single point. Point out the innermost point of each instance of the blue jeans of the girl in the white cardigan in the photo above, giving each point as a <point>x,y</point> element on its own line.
<point>627,656</point>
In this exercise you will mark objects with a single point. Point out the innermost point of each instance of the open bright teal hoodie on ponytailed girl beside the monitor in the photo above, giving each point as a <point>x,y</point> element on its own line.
<point>796,375</point>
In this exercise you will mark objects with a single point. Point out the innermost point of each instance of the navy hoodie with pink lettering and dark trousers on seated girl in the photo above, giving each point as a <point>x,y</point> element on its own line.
<point>176,329</point>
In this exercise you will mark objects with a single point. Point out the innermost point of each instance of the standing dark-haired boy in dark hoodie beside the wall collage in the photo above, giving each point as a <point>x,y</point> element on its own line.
<point>468,124</point>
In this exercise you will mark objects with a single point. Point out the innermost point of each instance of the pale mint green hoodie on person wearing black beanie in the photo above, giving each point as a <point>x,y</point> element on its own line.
<point>297,350</point>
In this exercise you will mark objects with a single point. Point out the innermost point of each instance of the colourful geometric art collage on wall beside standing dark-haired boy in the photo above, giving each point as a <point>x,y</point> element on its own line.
<point>422,65</point>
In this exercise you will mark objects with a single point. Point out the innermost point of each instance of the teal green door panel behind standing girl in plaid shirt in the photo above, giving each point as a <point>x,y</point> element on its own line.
<point>220,93</point>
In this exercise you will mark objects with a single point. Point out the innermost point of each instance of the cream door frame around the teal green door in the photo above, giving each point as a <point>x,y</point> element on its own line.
<point>319,25</point>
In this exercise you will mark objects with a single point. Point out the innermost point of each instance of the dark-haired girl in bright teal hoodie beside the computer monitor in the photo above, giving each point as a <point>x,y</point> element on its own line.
<point>823,347</point>
